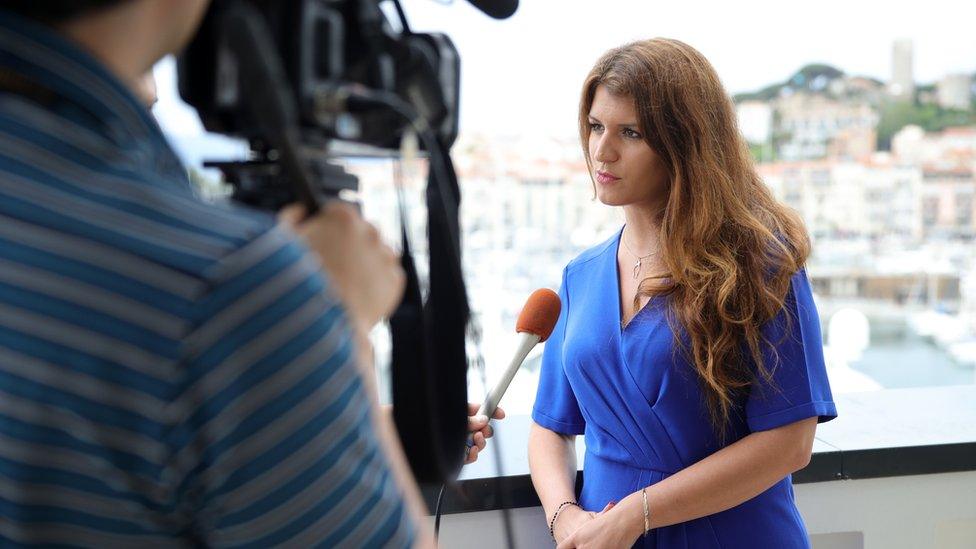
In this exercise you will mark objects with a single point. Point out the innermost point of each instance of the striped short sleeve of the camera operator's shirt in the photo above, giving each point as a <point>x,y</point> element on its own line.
<point>277,444</point>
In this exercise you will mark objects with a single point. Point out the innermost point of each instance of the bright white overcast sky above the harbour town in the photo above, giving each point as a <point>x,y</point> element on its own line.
<point>523,74</point>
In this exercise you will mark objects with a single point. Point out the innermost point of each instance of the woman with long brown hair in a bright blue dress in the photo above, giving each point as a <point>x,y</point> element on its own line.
<point>688,350</point>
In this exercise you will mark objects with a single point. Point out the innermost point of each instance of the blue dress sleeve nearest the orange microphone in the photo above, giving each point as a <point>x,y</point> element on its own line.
<point>555,406</point>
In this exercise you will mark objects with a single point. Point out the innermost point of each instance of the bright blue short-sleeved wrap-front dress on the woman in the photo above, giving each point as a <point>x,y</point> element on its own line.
<point>642,412</point>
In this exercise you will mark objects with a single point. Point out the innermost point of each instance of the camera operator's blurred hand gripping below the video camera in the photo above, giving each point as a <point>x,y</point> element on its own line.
<point>365,272</point>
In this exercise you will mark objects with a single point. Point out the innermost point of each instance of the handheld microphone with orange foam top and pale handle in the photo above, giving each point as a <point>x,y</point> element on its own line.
<point>535,324</point>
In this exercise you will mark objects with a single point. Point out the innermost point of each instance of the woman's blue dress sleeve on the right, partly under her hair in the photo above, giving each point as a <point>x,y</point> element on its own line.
<point>798,387</point>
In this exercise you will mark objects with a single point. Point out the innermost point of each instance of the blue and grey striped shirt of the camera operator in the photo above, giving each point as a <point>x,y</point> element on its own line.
<point>172,372</point>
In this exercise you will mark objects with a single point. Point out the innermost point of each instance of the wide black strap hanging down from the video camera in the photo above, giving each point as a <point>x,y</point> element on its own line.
<point>429,364</point>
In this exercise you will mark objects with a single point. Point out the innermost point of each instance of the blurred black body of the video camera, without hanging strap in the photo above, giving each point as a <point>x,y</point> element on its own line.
<point>326,48</point>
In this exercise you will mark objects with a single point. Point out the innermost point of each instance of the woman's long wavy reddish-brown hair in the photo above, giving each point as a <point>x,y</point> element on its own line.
<point>729,248</point>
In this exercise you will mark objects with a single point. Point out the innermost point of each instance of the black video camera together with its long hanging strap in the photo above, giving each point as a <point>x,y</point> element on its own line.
<point>294,77</point>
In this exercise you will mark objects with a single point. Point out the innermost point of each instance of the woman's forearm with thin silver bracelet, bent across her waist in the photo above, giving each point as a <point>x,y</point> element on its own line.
<point>729,477</point>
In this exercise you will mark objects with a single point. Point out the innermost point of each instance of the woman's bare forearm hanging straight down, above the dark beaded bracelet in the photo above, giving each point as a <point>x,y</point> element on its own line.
<point>552,464</point>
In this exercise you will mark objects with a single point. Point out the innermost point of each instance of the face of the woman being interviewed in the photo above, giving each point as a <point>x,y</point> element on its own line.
<point>626,170</point>
